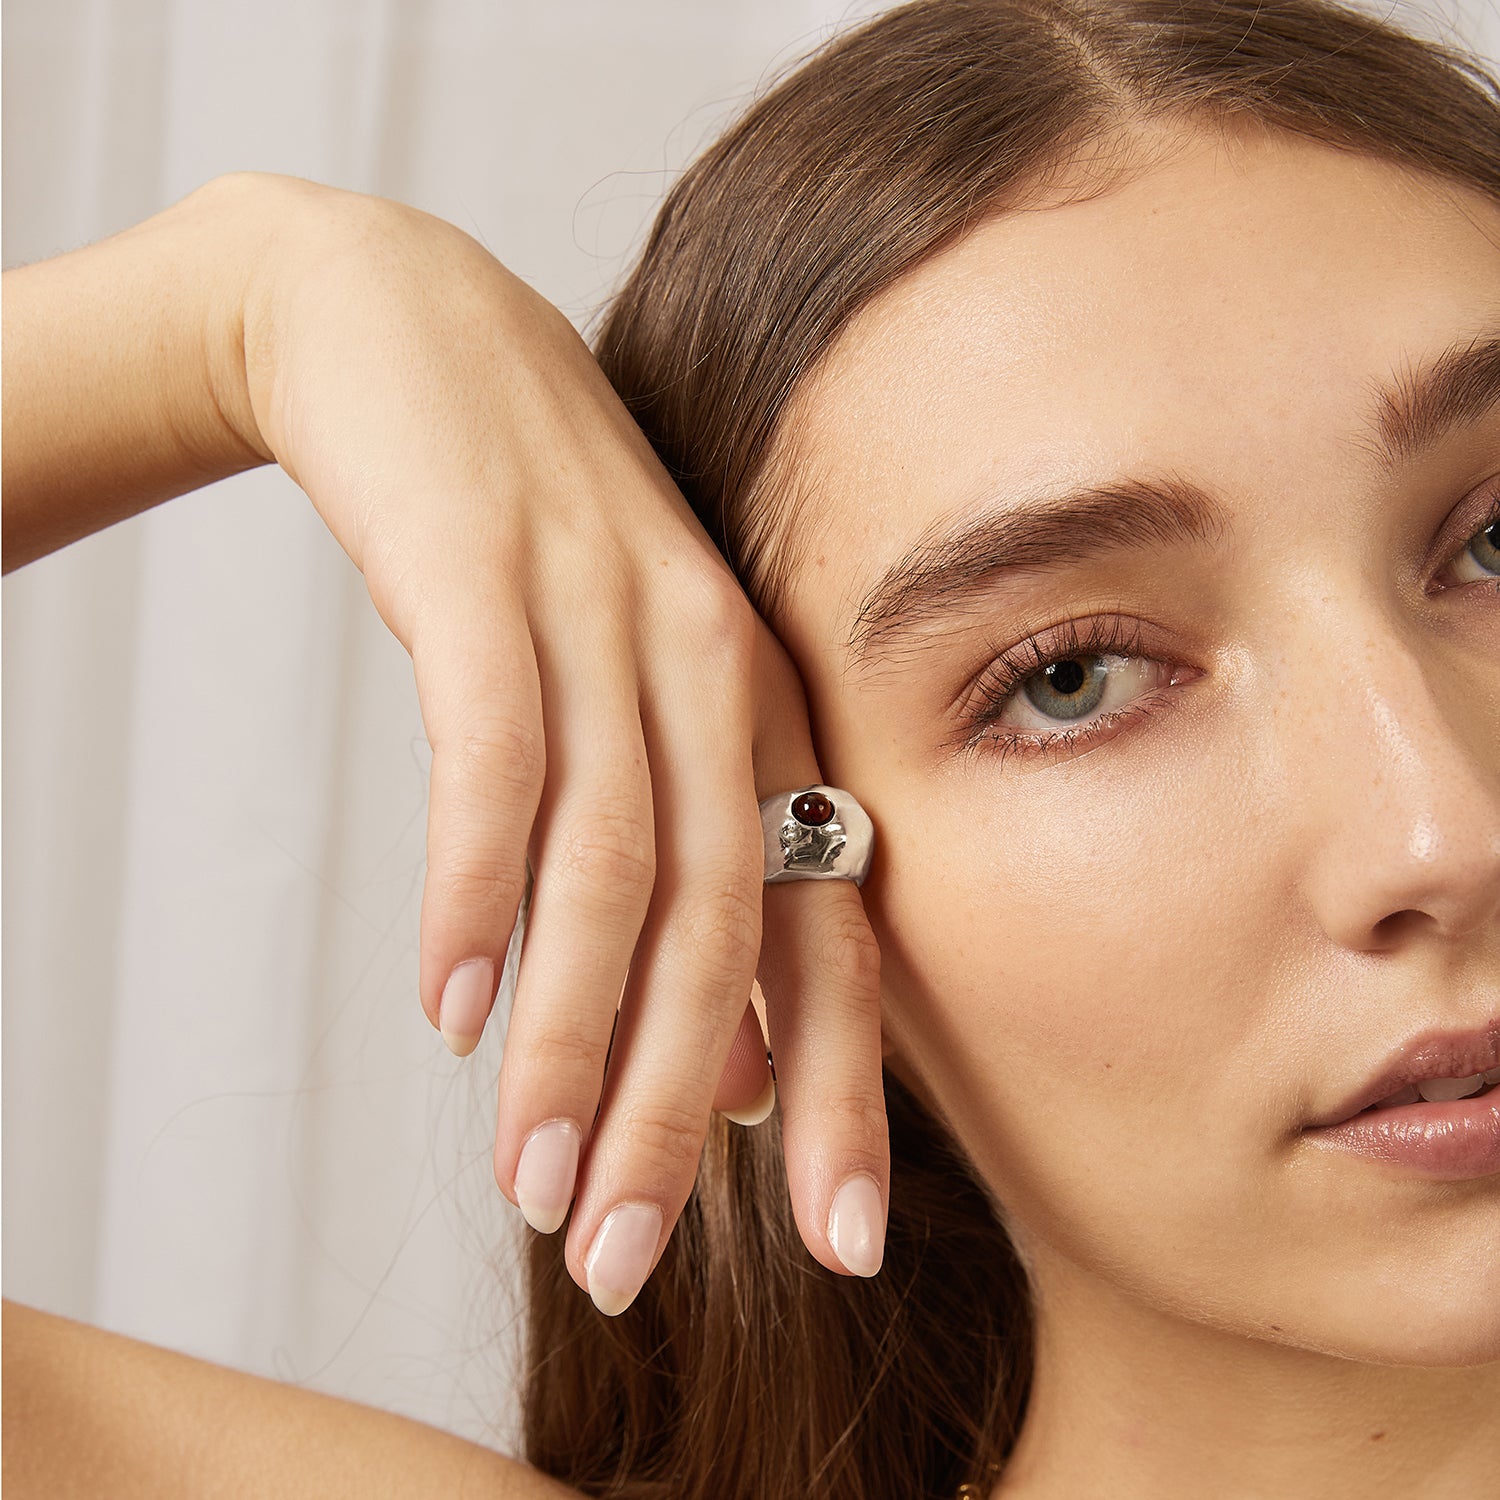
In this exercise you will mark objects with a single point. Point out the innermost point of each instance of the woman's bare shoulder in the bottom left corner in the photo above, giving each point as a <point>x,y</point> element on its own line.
<point>89,1412</point>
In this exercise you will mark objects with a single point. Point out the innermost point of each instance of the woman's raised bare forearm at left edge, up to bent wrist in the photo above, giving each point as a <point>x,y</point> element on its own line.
<point>125,364</point>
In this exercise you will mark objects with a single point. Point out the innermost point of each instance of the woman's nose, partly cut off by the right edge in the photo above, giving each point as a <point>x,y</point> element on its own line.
<point>1402,779</point>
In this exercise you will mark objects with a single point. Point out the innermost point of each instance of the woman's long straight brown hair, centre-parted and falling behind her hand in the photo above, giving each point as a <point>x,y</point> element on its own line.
<point>745,1369</point>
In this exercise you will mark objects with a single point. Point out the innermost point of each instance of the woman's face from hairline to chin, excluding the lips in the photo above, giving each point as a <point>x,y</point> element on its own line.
<point>1130,968</point>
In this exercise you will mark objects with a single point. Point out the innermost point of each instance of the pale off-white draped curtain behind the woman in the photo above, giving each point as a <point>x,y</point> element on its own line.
<point>229,1127</point>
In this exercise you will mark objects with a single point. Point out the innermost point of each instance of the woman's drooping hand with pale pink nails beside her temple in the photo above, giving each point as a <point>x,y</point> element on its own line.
<point>601,695</point>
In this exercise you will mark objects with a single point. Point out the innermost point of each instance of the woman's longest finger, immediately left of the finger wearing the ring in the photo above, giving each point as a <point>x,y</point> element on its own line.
<point>694,970</point>
